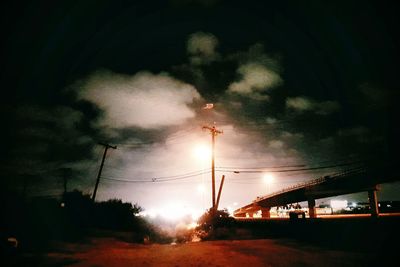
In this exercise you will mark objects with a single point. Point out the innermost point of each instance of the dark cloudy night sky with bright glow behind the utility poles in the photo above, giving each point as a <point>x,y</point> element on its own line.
<point>298,83</point>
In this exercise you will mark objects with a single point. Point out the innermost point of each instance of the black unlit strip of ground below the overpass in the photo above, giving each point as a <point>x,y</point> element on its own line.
<point>379,236</point>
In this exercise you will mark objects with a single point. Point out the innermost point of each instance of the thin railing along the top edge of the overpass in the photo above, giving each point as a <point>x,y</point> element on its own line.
<point>316,181</point>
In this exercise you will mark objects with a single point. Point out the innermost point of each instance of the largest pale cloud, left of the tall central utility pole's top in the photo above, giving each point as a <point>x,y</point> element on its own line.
<point>143,100</point>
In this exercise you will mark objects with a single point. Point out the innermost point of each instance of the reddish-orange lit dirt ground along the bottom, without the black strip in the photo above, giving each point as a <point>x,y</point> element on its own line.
<point>263,252</point>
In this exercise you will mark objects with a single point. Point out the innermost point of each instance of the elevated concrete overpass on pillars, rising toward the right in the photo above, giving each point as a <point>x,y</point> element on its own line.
<point>350,181</point>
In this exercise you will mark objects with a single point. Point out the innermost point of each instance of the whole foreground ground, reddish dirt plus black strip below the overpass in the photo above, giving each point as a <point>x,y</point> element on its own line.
<point>333,242</point>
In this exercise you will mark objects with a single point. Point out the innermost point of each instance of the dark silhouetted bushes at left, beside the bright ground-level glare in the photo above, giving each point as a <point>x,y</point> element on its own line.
<point>37,222</point>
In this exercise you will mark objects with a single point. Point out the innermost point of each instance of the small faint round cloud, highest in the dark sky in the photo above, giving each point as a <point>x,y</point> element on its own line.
<point>201,48</point>
